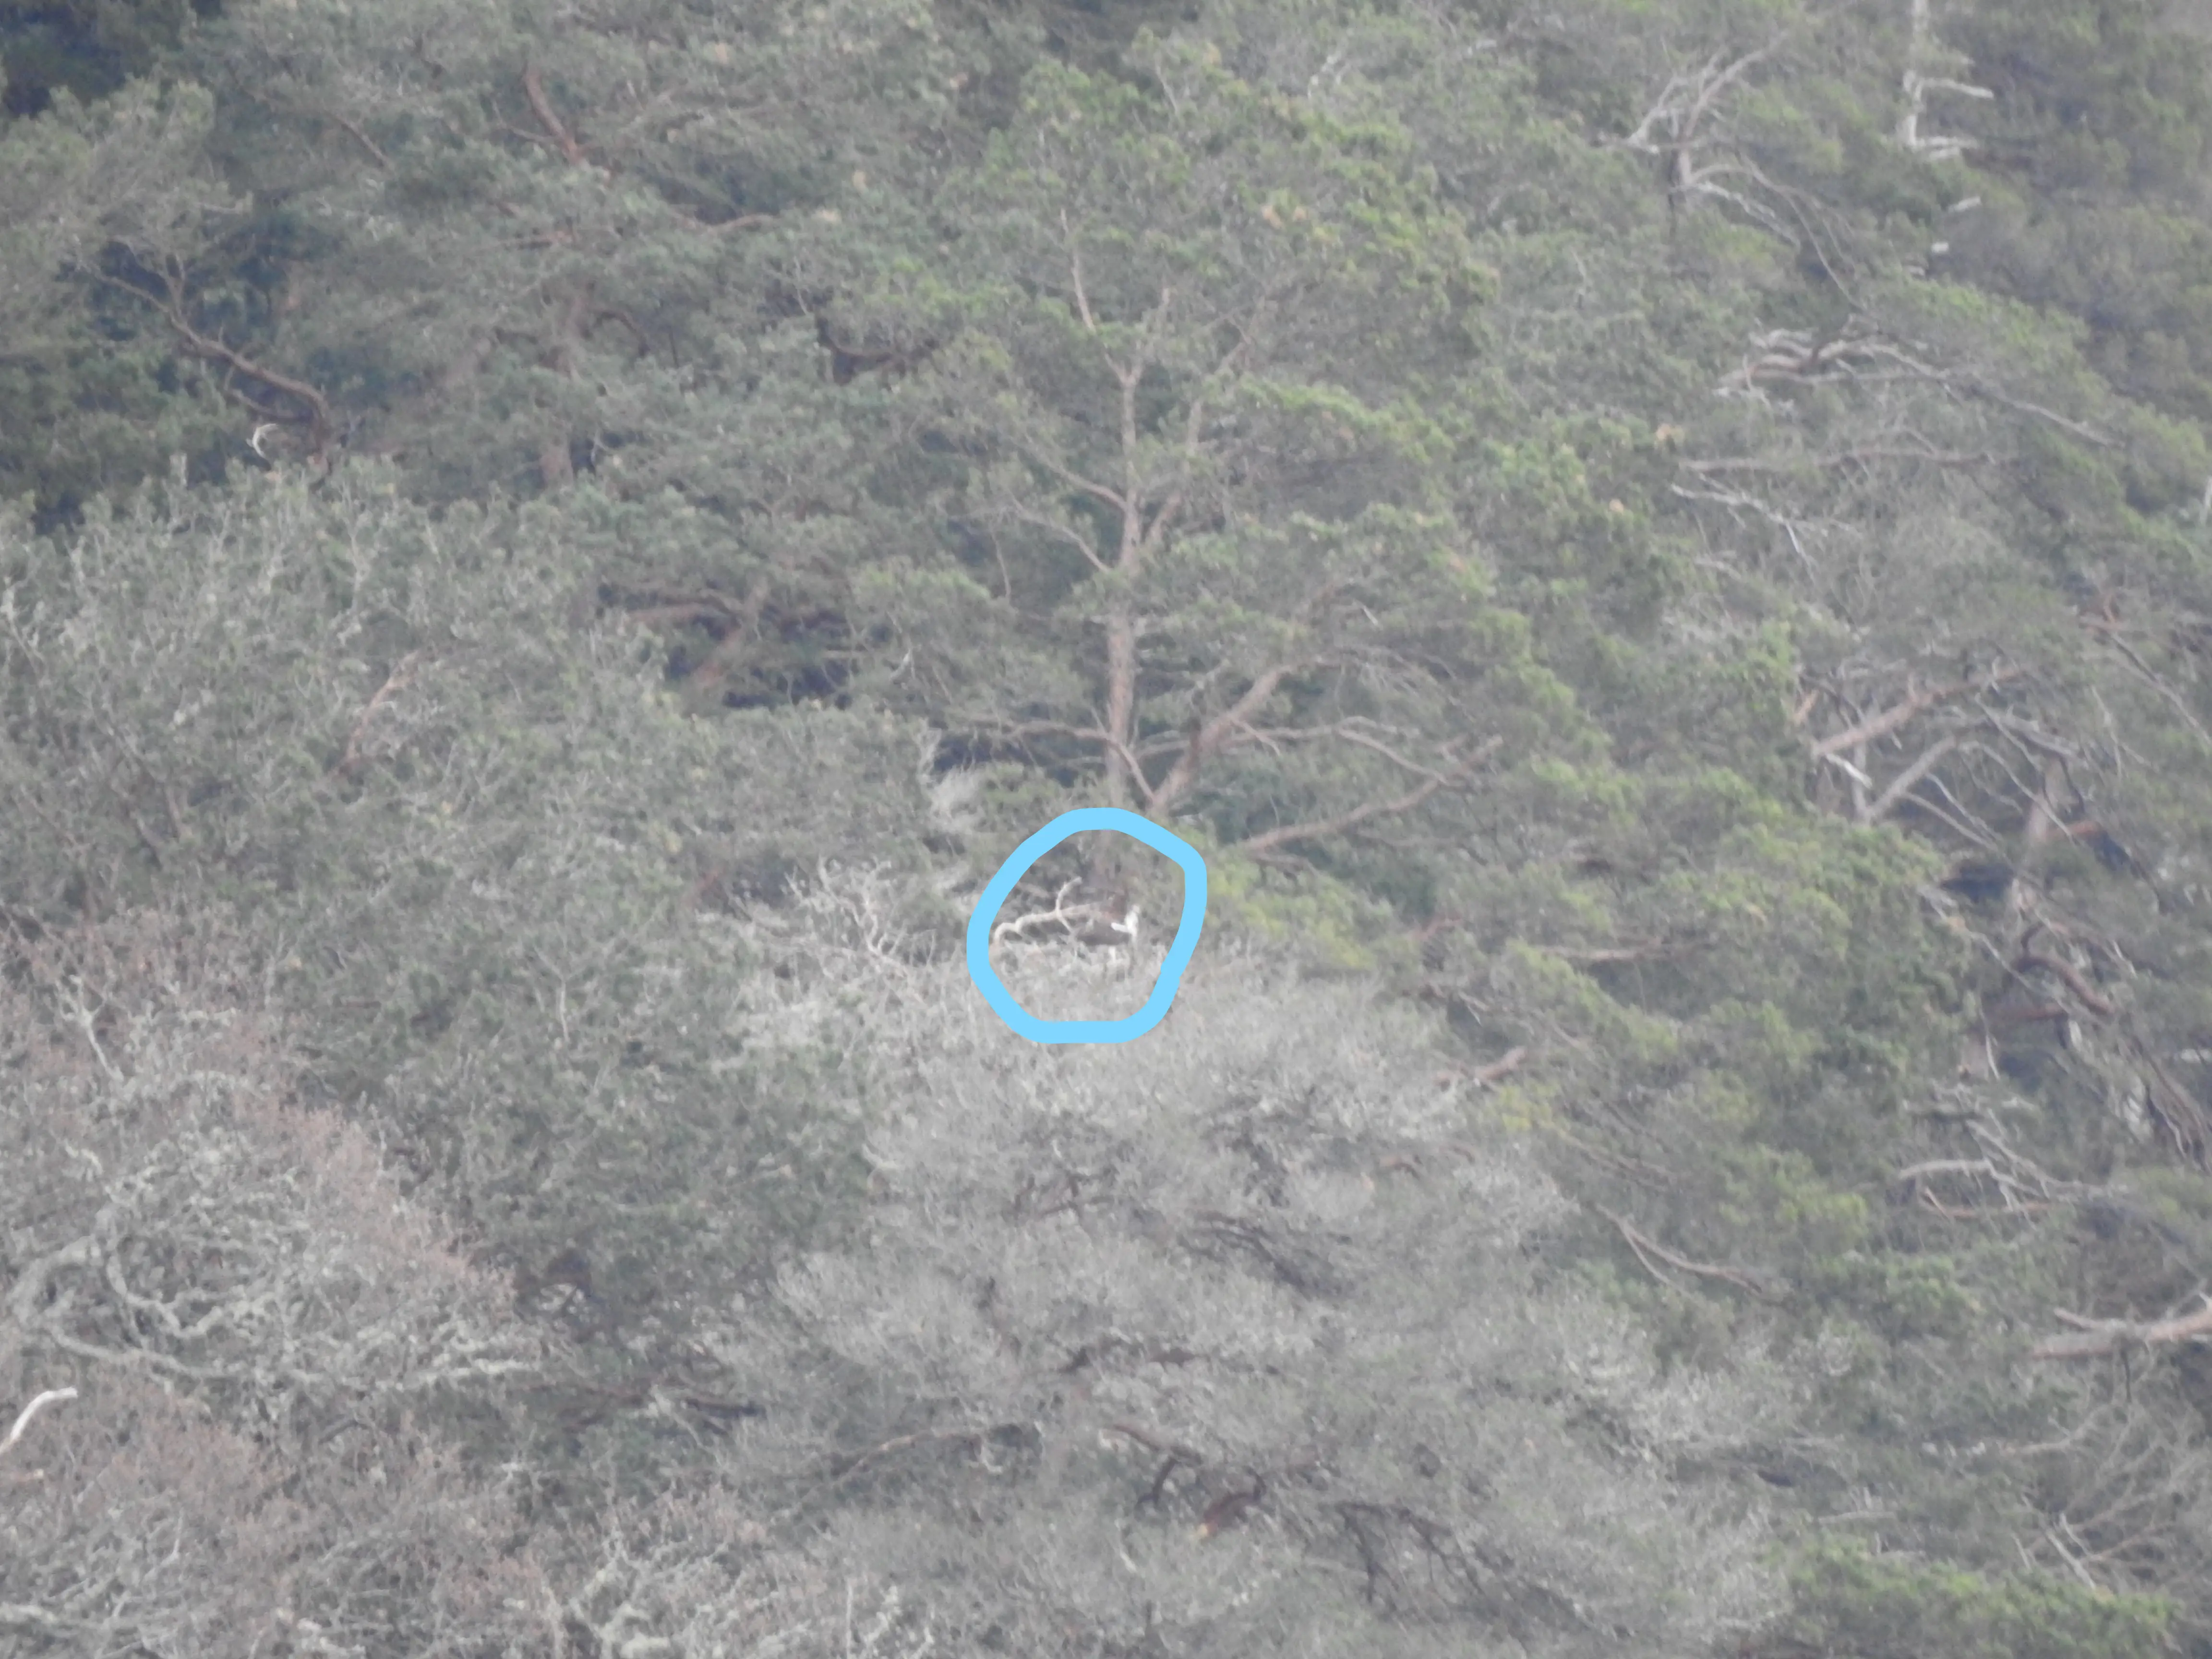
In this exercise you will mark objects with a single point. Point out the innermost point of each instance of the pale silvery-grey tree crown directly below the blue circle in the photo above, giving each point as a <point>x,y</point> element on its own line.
<point>1103,1293</point>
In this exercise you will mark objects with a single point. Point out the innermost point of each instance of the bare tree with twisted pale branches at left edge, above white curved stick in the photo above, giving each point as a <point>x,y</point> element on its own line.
<point>174,1211</point>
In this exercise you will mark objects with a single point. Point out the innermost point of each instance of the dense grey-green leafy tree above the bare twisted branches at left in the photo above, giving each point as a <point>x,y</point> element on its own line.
<point>483,857</point>
